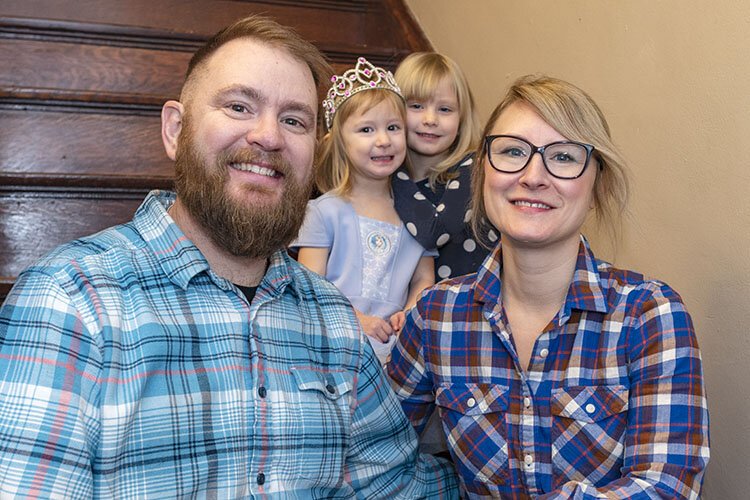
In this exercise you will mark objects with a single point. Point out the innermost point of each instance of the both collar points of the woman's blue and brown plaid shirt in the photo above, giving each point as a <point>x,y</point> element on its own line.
<point>586,291</point>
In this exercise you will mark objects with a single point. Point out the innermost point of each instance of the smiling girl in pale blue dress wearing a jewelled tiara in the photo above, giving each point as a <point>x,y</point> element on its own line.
<point>352,234</point>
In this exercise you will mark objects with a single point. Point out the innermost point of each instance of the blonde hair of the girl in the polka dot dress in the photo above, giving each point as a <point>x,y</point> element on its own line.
<point>419,76</point>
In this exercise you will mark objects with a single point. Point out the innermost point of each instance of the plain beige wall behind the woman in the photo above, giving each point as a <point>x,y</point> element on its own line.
<point>673,78</point>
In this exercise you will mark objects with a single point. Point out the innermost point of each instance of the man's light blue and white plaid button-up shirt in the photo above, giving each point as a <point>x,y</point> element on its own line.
<point>128,369</point>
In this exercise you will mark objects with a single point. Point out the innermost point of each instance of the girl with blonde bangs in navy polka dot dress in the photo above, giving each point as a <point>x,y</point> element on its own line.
<point>432,193</point>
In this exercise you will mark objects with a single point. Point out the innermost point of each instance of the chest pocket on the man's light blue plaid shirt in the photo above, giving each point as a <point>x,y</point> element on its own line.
<point>319,425</point>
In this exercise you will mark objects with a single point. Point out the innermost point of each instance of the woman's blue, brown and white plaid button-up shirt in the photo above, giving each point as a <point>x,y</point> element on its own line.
<point>612,404</point>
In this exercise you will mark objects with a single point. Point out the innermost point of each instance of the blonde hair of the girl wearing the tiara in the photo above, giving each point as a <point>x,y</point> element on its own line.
<point>333,164</point>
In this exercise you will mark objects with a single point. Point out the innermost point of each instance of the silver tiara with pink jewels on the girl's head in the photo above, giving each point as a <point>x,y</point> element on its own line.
<point>364,76</point>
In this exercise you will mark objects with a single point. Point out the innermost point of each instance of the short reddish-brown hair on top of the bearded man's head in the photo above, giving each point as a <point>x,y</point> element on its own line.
<point>268,31</point>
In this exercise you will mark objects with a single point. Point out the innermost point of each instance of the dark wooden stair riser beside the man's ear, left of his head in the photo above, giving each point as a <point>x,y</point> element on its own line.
<point>92,144</point>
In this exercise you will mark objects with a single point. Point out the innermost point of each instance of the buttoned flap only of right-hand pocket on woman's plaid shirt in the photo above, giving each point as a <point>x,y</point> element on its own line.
<point>589,403</point>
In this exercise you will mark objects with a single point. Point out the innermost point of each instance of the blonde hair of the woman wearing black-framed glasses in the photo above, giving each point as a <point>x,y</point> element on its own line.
<point>575,115</point>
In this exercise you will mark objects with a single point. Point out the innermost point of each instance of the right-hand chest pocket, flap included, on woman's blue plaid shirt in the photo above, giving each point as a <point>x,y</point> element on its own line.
<point>592,418</point>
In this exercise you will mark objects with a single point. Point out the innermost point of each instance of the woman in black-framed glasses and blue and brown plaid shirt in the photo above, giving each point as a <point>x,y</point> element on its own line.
<point>555,374</point>
